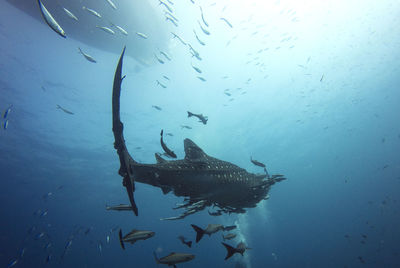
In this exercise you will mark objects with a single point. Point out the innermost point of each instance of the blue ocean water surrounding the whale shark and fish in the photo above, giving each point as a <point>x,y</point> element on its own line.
<point>313,92</point>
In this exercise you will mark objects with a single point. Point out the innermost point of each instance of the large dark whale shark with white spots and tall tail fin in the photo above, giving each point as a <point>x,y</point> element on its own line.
<point>201,179</point>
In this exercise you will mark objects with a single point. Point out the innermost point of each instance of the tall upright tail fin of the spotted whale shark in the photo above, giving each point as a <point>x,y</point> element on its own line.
<point>125,159</point>
